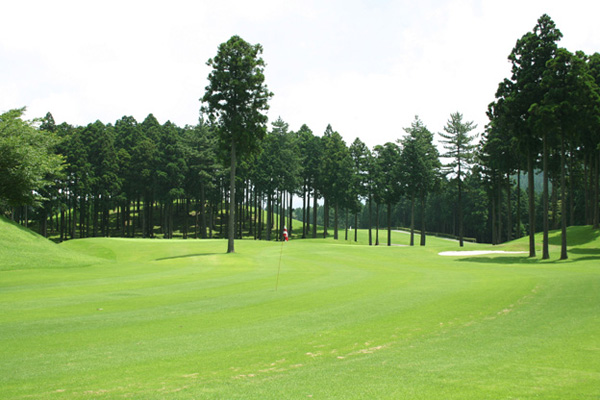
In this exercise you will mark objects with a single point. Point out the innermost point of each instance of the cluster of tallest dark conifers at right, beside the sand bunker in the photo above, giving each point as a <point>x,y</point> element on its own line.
<point>546,116</point>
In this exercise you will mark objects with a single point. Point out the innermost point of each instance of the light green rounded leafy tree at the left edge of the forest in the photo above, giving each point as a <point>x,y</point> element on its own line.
<point>27,161</point>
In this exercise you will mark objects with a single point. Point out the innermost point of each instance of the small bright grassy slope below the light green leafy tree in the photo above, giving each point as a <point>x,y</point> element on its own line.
<point>21,248</point>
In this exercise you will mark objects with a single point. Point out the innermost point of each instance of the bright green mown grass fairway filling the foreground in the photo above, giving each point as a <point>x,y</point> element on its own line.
<point>156,319</point>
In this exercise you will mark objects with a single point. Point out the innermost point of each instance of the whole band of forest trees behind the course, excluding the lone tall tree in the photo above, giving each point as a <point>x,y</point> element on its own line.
<point>146,179</point>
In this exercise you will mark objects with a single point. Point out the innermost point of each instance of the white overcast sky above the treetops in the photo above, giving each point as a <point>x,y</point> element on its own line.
<point>365,67</point>
